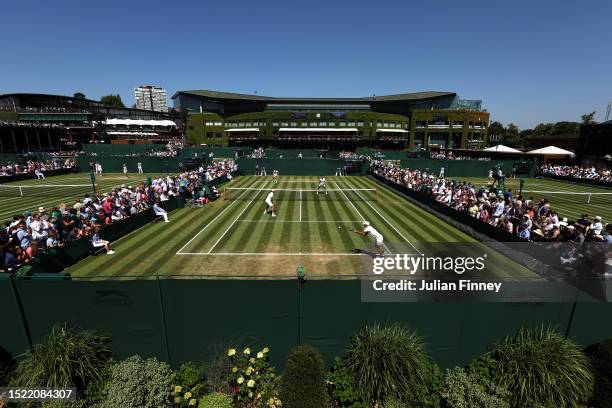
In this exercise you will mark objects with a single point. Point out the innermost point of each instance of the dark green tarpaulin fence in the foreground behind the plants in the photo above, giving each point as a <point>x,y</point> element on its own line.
<point>182,319</point>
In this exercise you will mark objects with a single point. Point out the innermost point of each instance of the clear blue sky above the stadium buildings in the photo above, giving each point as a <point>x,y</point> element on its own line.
<point>530,61</point>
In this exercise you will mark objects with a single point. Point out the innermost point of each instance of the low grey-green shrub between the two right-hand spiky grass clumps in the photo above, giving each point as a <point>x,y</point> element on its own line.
<point>463,390</point>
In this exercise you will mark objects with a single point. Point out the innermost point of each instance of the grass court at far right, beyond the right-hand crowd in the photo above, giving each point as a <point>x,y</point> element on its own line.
<point>566,205</point>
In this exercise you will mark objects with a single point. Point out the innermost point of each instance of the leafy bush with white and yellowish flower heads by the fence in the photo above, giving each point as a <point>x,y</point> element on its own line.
<point>252,378</point>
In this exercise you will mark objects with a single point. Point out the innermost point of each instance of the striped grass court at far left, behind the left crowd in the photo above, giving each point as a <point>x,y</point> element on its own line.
<point>11,203</point>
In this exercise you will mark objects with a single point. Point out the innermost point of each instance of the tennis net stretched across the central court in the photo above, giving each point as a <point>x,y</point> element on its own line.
<point>286,194</point>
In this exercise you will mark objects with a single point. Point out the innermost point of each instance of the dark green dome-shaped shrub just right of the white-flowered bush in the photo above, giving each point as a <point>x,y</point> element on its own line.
<point>303,382</point>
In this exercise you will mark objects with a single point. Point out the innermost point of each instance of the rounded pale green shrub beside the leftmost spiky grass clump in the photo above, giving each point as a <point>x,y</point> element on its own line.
<point>136,382</point>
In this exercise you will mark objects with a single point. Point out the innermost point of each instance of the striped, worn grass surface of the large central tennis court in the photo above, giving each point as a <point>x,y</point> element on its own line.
<point>233,238</point>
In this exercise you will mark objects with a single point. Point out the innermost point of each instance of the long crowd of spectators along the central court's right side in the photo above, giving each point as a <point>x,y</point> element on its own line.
<point>520,216</point>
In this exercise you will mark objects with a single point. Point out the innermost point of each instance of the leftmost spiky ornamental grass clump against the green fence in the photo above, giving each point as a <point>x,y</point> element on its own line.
<point>67,357</point>
